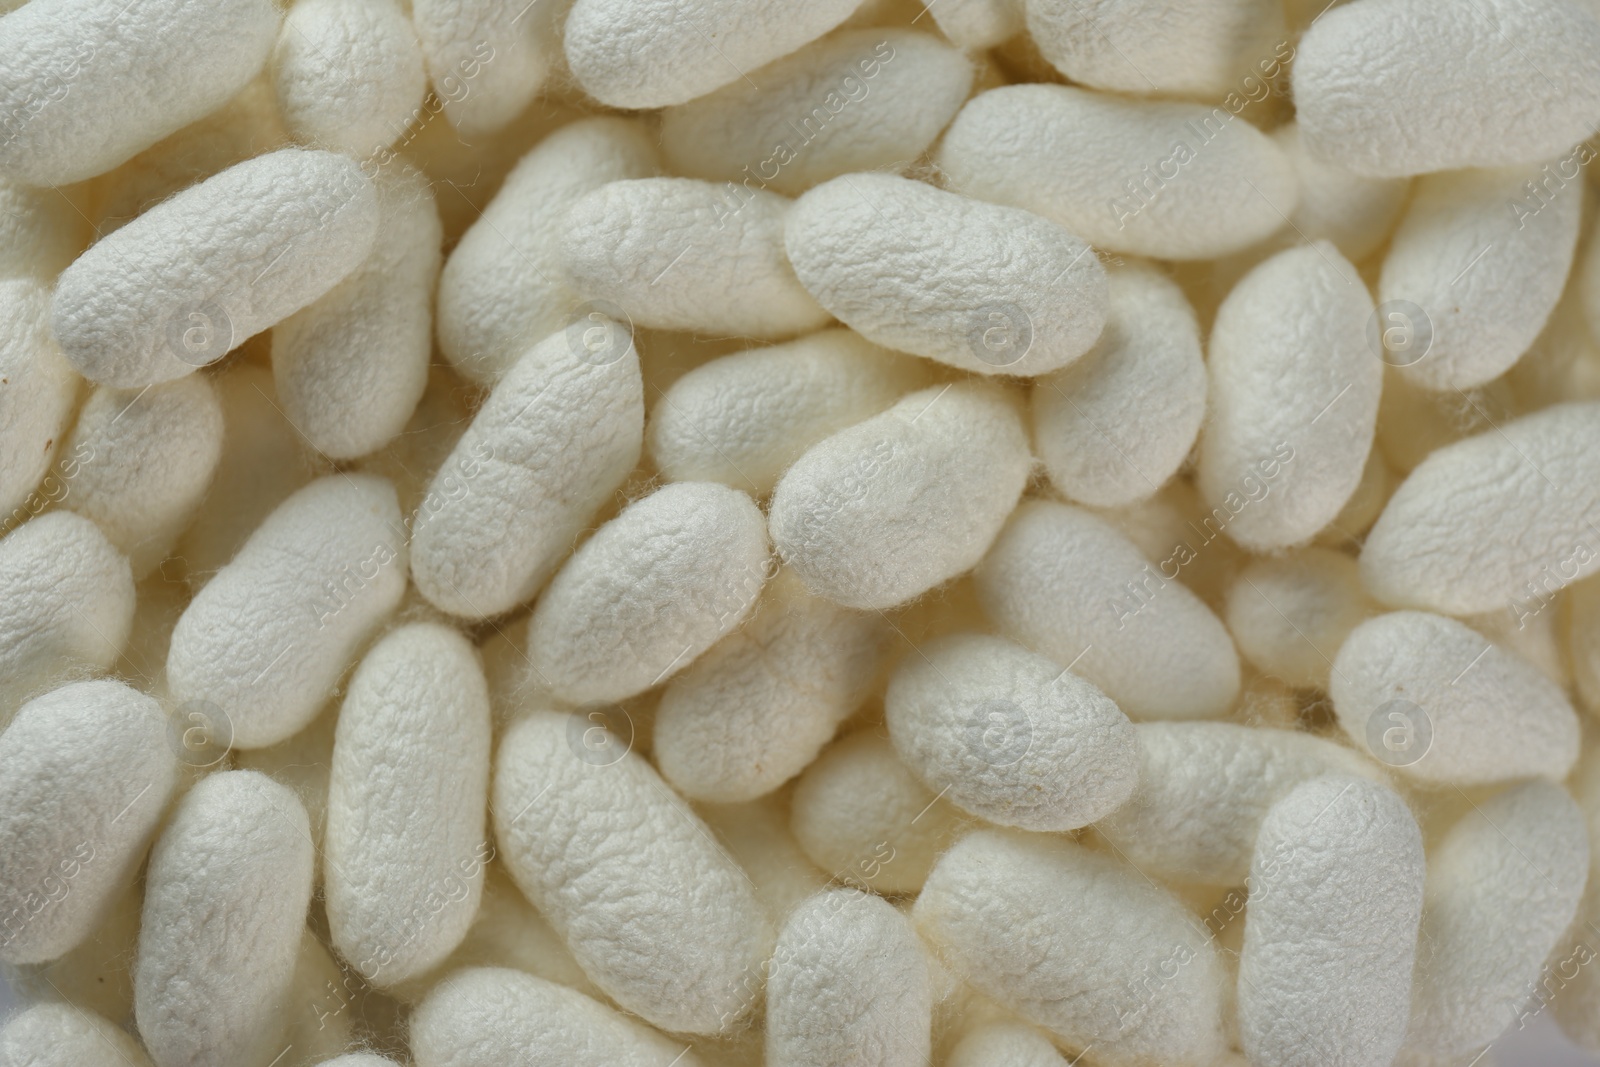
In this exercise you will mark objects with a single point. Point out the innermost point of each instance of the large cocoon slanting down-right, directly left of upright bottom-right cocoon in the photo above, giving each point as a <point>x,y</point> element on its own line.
<point>1073,940</point>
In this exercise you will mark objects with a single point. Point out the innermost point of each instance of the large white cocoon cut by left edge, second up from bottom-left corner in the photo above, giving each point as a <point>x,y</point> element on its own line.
<point>86,773</point>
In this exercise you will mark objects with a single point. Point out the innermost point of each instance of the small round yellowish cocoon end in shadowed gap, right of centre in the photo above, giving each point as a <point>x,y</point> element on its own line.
<point>1292,613</point>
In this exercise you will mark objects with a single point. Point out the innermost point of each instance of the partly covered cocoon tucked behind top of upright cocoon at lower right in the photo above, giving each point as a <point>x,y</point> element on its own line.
<point>1204,791</point>
